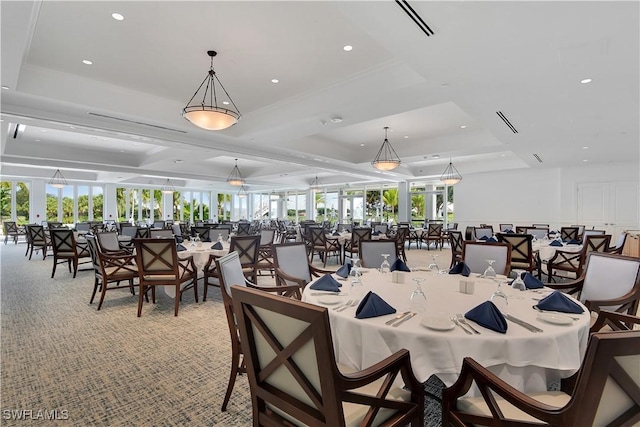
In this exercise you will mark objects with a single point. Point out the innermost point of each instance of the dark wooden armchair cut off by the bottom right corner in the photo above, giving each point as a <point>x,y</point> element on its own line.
<point>604,392</point>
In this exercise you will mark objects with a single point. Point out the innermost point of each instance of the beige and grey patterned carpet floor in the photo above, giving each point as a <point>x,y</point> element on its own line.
<point>63,359</point>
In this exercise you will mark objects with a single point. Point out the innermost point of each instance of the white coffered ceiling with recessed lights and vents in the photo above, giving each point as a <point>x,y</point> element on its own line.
<point>119,119</point>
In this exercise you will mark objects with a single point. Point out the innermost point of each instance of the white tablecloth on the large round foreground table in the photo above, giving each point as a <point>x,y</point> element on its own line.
<point>526,360</point>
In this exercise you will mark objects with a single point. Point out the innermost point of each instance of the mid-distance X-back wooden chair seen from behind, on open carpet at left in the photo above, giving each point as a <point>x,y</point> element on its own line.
<point>158,265</point>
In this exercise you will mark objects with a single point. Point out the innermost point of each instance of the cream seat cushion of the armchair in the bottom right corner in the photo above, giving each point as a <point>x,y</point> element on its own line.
<point>477,406</point>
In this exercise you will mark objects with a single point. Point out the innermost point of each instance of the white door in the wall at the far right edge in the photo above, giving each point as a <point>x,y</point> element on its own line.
<point>609,206</point>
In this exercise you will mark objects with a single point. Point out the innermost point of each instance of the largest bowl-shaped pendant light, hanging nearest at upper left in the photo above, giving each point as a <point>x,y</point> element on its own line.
<point>207,114</point>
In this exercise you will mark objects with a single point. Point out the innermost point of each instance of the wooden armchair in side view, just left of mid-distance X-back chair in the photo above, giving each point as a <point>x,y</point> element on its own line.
<point>110,270</point>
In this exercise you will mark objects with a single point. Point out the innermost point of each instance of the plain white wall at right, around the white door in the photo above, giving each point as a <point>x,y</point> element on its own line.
<point>525,196</point>
